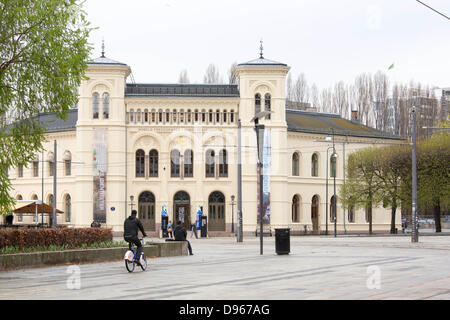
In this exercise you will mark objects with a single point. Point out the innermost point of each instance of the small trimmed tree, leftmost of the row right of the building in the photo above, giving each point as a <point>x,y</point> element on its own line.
<point>362,186</point>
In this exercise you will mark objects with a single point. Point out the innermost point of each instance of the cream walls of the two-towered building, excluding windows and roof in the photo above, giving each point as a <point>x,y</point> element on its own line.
<point>125,136</point>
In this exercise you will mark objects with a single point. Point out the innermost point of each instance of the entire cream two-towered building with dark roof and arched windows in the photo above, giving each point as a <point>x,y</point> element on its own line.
<point>175,145</point>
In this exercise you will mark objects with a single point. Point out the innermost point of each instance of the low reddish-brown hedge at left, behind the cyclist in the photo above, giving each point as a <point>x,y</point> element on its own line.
<point>25,238</point>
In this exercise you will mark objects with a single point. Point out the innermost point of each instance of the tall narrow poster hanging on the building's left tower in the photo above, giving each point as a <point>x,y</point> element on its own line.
<point>99,165</point>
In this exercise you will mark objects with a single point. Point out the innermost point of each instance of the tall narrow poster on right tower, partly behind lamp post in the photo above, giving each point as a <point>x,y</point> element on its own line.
<point>266,179</point>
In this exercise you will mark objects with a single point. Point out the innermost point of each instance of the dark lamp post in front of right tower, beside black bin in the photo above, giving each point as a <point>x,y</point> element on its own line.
<point>259,128</point>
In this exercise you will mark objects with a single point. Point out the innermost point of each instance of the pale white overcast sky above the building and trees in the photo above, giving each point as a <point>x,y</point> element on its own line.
<point>327,40</point>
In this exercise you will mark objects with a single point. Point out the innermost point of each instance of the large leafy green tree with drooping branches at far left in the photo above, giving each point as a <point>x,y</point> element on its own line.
<point>43,54</point>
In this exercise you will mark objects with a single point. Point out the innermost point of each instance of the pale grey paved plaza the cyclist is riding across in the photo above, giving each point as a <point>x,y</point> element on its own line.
<point>317,268</point>
